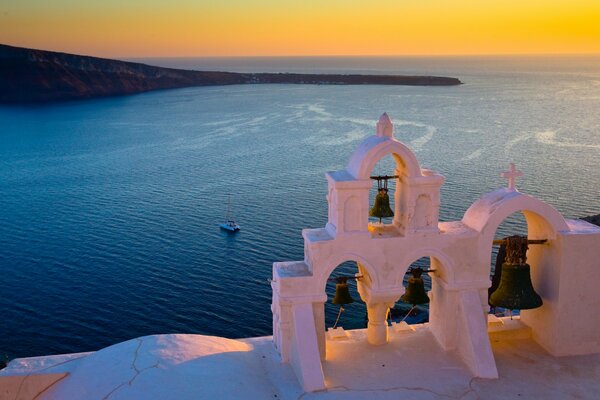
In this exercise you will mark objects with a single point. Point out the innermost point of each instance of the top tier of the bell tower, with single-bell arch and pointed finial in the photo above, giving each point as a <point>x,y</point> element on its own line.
<point>417,195</point>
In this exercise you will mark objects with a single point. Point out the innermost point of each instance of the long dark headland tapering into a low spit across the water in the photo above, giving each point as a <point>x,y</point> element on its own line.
<point>38,76</point>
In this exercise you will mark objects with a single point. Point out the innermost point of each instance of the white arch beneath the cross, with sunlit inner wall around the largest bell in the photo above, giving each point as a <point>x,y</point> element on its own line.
<point>485,216</point>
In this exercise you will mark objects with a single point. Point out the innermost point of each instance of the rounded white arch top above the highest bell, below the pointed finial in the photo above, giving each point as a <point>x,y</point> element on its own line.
<point>373,149</point>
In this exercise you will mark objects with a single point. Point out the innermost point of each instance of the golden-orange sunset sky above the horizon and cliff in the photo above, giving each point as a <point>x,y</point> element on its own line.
<point>198,28</point>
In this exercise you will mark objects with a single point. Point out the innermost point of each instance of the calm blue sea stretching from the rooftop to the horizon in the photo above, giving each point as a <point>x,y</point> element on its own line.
<point>110,208</point>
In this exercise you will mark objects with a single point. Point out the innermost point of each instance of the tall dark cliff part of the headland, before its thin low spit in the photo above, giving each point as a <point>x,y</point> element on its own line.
<point>37,76</point>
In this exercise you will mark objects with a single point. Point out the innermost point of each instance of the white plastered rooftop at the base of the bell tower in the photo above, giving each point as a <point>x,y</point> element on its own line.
<point>410,366</point>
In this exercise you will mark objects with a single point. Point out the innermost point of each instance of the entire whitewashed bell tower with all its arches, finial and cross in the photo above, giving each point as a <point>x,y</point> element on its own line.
<point>459,252</point>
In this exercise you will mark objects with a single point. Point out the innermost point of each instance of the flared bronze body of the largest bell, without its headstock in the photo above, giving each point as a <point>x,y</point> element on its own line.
<point>515,291</point>
